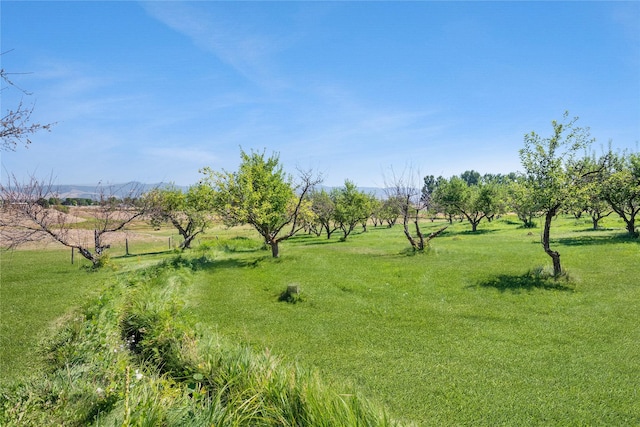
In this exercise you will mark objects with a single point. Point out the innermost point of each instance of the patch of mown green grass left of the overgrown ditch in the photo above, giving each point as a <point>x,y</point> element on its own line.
<point>36,288</point>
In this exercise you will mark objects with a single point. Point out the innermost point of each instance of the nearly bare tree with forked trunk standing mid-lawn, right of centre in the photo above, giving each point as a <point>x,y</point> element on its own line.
<point>403,189</point>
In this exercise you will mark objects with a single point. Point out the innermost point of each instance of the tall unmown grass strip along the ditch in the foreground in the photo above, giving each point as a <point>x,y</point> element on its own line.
<point>134,357</point>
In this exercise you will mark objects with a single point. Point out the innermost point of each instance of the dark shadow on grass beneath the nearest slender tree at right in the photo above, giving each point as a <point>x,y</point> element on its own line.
<point>528,281</point>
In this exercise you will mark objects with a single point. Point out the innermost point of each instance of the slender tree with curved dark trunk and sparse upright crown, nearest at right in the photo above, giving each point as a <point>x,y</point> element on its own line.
<point>550,173</point>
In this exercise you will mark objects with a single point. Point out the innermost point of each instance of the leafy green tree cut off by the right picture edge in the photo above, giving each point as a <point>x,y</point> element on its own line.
<point>621,188</point>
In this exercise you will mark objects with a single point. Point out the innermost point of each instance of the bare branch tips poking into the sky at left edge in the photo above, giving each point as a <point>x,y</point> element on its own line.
<point>15,125</point>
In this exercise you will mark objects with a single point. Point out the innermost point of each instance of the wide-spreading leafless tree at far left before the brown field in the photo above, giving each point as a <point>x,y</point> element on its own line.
<point>26,217</point>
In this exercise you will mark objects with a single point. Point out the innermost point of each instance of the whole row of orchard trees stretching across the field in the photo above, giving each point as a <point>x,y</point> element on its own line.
<point>556,179</point>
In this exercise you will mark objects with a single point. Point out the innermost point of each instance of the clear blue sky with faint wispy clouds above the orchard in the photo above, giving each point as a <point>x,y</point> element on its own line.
<point>154,91</point>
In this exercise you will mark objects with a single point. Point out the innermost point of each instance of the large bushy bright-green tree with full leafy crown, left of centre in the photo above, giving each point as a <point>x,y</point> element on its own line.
<point>262,195</point>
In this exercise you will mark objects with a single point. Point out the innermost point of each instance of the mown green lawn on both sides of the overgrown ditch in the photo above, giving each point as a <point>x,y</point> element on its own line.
<point>466,334</point>
